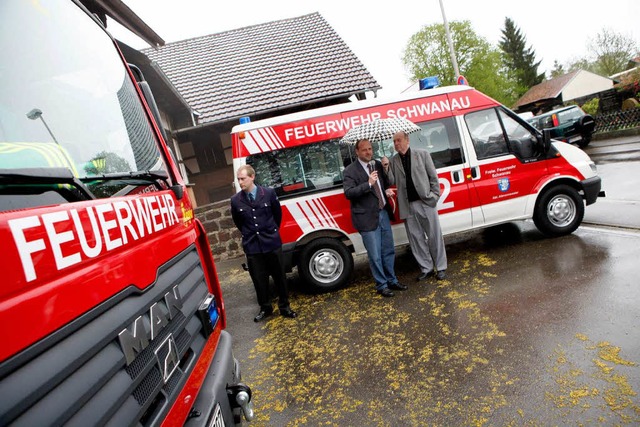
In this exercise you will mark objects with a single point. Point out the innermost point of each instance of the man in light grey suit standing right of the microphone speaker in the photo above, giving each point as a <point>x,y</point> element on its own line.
<point>416,179</point>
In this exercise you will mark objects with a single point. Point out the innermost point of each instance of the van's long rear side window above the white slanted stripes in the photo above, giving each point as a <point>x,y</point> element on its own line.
<point>302,169</point>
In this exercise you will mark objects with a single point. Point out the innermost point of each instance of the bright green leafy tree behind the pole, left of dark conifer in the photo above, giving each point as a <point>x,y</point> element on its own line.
<point>427,54</point>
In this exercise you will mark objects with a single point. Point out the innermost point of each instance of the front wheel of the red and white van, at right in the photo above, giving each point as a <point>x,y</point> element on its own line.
<point>559,211</point>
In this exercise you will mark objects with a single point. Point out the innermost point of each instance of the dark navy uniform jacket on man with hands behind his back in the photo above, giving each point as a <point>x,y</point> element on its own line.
<point>258,221</point>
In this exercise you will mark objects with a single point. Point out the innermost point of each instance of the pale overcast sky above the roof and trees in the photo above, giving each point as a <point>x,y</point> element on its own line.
<point>555,29</point>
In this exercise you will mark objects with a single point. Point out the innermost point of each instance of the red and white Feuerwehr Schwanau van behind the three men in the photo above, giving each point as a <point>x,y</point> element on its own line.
<point>493,168</point>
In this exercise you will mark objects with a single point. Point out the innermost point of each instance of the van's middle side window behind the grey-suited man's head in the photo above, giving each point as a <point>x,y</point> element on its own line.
<point>439,137</point>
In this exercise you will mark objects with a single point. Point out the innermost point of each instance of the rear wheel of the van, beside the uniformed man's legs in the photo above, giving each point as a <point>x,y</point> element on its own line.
<point>325,265</point>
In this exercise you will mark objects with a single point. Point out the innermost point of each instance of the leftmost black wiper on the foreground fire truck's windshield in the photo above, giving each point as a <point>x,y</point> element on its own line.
<point>47,176</point>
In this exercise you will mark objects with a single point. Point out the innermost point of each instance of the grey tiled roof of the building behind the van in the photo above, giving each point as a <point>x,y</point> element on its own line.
<point>262,67</point>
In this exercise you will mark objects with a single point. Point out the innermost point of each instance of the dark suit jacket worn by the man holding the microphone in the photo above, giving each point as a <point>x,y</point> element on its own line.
<point>364,202</point>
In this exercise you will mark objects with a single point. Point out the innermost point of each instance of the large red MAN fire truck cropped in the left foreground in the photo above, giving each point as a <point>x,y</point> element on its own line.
<point>111,312</point>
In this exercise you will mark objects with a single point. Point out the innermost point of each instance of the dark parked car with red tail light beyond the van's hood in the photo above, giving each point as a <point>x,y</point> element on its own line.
<point>569,124</point>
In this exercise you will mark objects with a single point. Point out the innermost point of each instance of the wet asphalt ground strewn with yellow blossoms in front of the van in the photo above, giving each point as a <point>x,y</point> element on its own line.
<point>526,330</point>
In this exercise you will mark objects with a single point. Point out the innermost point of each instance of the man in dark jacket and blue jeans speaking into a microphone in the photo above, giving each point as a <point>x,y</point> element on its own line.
<point>370,213</point>
